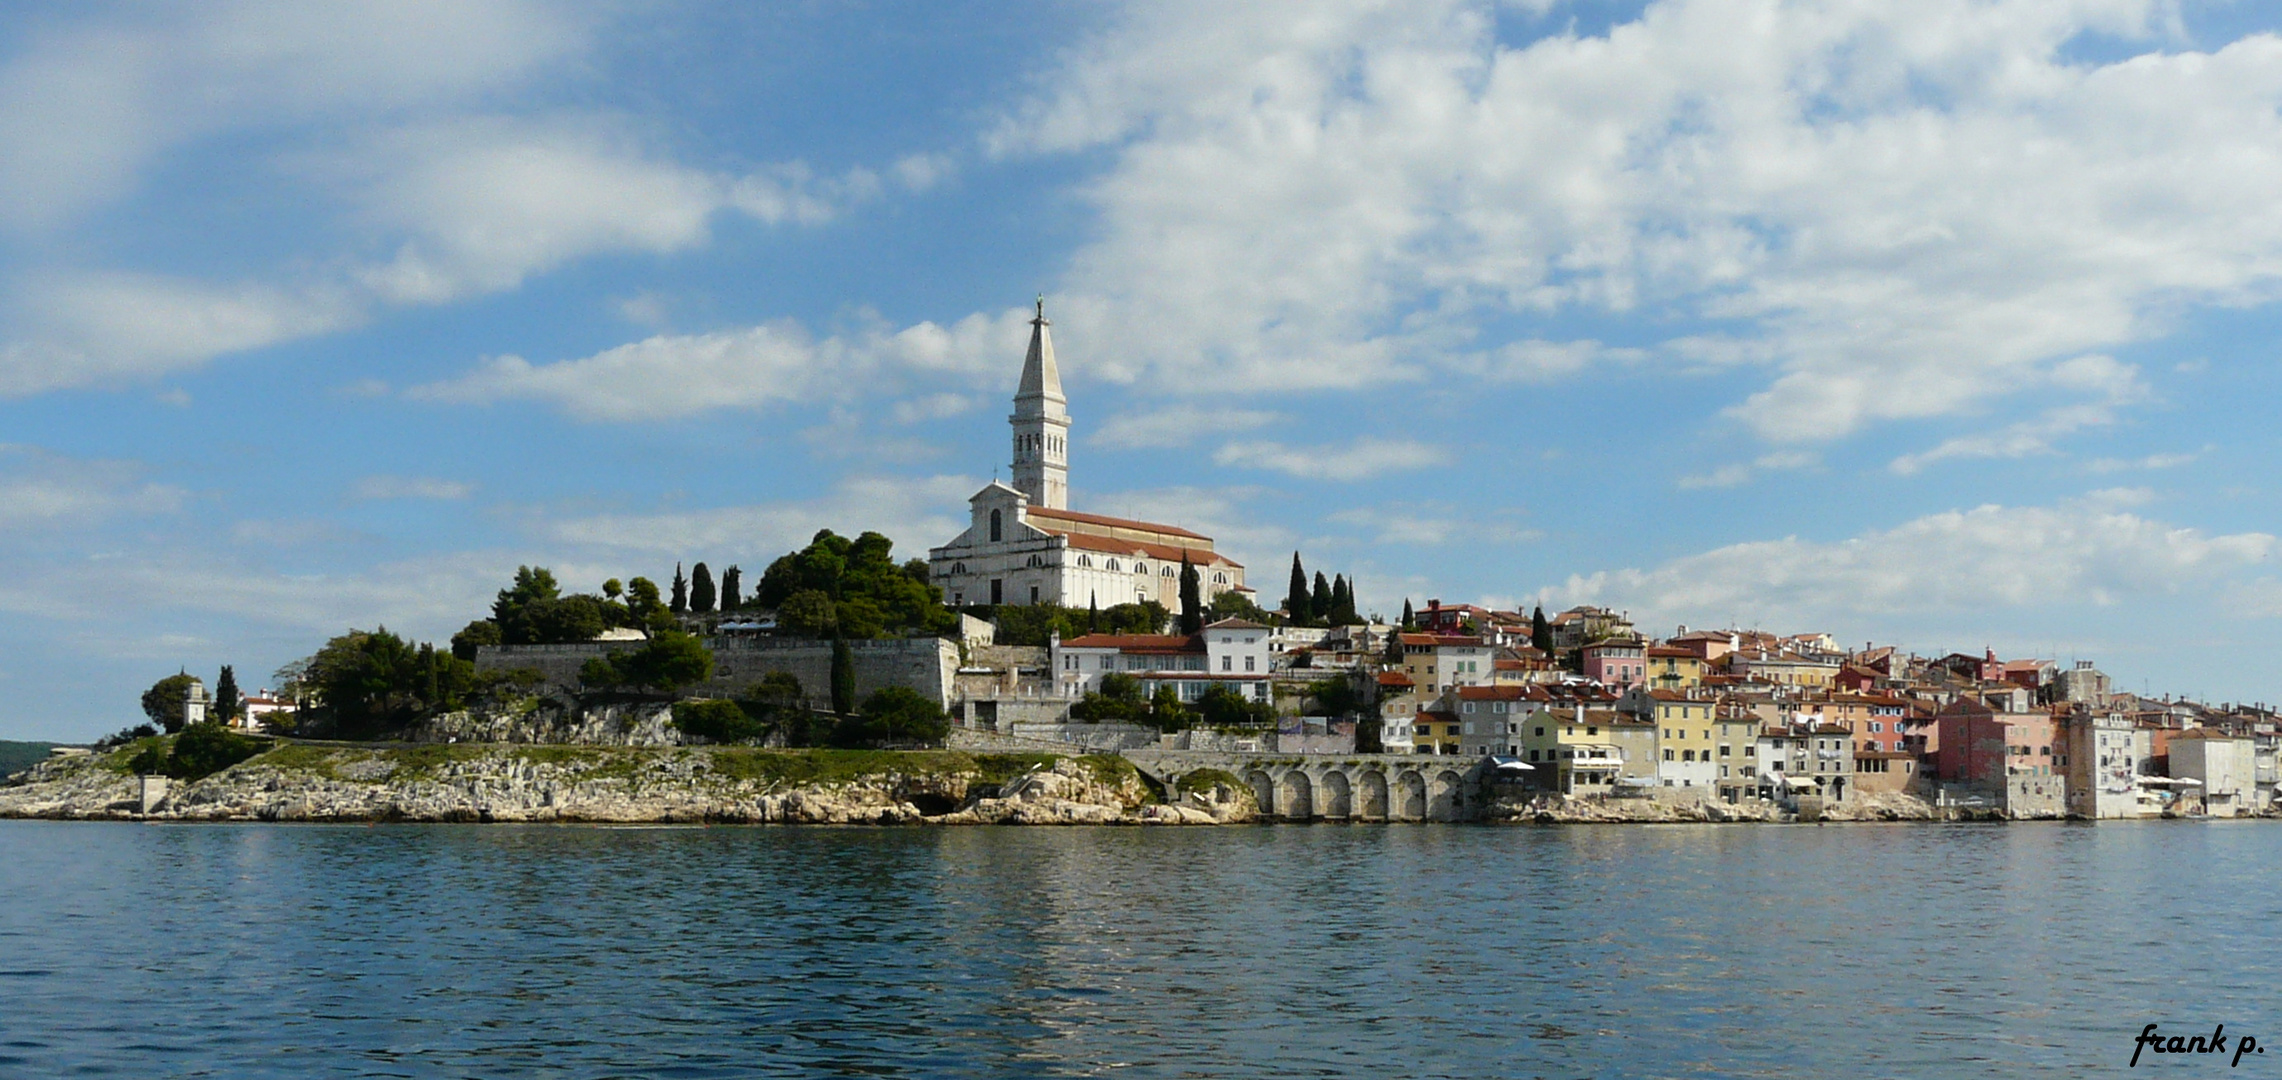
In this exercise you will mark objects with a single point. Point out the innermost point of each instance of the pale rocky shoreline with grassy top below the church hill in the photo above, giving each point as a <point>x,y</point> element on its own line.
<point>626,784</point>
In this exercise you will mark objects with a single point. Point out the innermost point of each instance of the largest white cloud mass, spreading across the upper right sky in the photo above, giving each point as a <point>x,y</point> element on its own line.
<point>1902,211</point>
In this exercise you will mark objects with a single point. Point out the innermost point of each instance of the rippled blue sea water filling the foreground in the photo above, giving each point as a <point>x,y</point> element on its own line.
<point>1149,953</point>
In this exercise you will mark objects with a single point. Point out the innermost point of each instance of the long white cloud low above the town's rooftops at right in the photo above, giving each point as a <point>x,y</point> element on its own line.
<point>1968,563</point>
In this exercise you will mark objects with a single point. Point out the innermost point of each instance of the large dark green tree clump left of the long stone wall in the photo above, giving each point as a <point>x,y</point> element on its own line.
<point>375,682</point>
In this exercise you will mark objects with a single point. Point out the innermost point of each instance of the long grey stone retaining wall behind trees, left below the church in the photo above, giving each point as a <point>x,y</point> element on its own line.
<point>919,663</point>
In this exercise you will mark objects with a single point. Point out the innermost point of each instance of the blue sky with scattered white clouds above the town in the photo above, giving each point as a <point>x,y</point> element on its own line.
<point>1936,323</point>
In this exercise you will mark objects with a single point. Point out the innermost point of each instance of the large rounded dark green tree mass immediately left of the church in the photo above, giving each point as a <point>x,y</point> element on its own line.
<point>855,590</point>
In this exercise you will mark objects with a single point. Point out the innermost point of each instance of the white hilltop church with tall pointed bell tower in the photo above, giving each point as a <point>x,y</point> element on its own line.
<point>1026,545</point>
